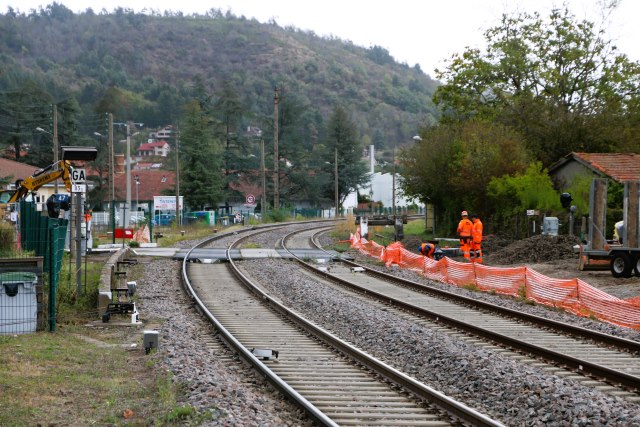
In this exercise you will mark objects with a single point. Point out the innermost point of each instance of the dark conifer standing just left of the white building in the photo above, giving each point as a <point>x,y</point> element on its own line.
<point>352,172</point>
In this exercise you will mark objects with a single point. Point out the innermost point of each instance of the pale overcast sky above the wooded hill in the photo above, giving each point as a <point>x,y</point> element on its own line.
<point>413,31</point>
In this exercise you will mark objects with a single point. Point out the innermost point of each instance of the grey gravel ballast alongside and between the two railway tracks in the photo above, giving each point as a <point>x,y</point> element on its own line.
<point>514,393</point>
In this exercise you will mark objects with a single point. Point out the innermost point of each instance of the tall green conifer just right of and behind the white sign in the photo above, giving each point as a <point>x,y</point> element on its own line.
<point>201,174</point>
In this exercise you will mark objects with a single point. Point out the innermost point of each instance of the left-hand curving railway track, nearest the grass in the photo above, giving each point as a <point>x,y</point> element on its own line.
<point>334,382</point>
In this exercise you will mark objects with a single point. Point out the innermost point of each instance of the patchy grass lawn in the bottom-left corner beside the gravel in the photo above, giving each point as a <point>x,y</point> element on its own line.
<point>60,379</point>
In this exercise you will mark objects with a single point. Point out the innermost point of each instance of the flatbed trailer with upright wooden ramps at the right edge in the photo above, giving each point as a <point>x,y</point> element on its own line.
<point>623,257</point>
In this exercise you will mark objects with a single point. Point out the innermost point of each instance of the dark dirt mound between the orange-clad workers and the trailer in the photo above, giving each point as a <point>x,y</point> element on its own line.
<point>535,249</point>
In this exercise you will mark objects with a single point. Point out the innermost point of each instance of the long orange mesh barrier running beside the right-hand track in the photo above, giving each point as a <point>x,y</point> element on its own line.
<point>573,295</point>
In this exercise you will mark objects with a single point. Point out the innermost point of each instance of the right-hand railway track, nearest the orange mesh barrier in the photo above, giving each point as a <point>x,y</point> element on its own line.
<point>606,362</point>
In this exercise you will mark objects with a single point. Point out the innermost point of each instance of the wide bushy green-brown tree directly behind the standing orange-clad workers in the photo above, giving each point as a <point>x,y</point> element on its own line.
<point>455,161</point>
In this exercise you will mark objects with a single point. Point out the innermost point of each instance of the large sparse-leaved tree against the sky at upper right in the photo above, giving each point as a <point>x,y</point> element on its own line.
<point>552,81</point>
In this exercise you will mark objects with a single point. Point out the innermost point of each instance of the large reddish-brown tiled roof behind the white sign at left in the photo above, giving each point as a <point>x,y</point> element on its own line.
<point>152,183</point>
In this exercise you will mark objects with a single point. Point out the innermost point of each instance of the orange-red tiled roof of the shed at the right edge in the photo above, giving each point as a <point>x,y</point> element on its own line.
<point>618,166</point>
